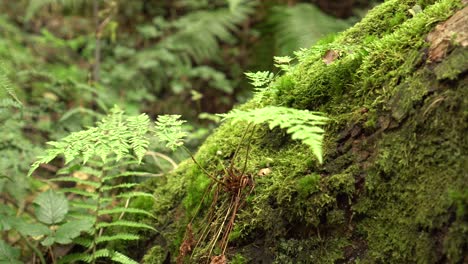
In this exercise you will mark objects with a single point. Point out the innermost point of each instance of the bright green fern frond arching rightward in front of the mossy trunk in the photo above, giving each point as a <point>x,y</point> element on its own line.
<point>303,125</point>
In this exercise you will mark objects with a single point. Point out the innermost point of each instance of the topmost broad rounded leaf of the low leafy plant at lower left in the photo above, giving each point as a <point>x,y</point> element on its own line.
<point>52,207</point>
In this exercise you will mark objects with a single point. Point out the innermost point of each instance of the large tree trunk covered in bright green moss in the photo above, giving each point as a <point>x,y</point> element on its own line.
<point>393,185</point>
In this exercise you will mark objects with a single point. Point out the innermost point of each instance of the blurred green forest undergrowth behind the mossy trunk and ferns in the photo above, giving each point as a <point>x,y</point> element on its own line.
<point>65,63</point>
